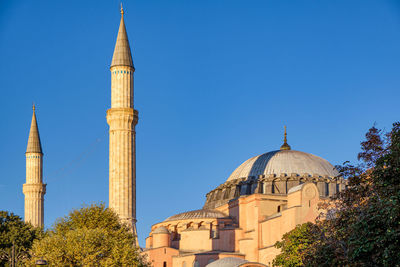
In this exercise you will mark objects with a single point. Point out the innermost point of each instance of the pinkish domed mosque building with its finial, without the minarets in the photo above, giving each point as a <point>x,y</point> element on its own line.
<point>241,220</point>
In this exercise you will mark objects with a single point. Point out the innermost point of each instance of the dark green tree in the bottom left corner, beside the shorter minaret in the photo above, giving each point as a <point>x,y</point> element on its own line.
<point>16,237</point>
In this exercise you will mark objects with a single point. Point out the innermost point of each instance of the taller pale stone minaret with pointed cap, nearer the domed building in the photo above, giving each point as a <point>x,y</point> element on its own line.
<point>122,119</point>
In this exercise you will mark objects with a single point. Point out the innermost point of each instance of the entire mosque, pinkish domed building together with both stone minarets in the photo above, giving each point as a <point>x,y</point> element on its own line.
<point>265,197</point>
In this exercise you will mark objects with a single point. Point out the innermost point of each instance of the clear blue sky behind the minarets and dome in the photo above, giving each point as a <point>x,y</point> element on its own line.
<point>215,82</point>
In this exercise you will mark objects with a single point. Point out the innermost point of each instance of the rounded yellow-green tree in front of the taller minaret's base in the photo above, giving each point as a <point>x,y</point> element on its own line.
<point>90,236</point>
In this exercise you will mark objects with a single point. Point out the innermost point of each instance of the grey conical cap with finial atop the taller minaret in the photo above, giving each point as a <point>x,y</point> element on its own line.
<point>122,52</point>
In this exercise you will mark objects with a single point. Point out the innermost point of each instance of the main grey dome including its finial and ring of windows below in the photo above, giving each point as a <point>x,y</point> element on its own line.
<point>275,173</point>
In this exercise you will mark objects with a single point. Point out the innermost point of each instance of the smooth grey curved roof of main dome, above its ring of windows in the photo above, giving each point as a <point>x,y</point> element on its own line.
<point>284,162</point>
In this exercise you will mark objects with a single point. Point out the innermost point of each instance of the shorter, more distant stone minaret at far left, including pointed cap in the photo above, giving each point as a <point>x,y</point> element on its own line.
<point>34,189</point>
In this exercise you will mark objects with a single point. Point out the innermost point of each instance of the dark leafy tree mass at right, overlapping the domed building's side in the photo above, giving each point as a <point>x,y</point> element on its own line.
<point>364,226</point>
